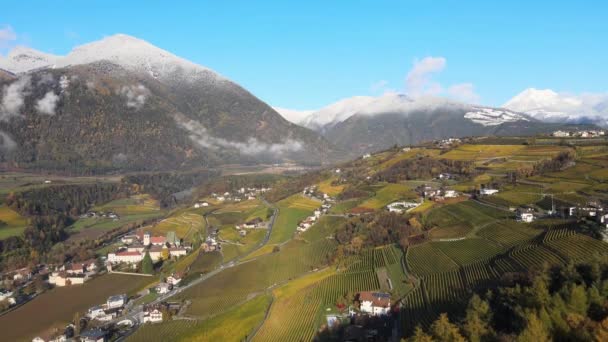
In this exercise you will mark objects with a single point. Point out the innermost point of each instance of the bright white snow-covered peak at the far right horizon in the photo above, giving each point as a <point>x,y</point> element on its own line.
<point>550,106</point>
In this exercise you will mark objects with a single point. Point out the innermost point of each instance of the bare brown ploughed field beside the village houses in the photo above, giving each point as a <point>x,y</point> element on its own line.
<point>58,306</point>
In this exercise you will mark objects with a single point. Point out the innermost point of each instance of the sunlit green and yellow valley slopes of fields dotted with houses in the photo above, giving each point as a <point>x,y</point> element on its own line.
<point>288,281</point>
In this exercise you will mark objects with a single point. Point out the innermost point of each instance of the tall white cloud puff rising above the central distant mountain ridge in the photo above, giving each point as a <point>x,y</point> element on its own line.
<point>419,80</point>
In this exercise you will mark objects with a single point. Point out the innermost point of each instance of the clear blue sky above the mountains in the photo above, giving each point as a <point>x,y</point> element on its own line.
<point>308,54</point>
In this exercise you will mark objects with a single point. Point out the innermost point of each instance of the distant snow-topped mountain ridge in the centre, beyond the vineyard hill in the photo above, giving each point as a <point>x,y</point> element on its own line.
<point>381,122</point>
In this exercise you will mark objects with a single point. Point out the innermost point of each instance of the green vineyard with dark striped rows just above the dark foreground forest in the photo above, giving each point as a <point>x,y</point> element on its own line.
<point>450,271</point>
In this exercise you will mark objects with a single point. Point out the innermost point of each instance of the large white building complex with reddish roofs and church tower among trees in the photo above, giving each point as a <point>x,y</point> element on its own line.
<point>158,247</point>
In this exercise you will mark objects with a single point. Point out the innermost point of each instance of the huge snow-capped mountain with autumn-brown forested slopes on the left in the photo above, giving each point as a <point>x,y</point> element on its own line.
<point>123,104</point>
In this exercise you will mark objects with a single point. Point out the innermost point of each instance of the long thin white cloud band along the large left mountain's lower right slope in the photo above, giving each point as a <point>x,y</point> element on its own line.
<point>200,135</point>
